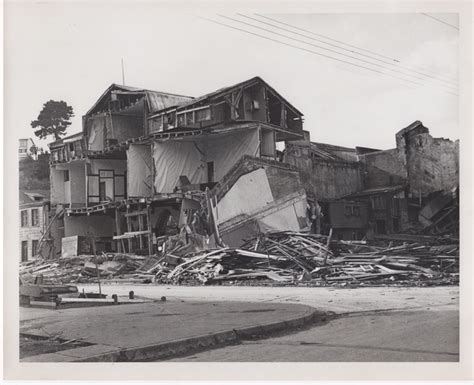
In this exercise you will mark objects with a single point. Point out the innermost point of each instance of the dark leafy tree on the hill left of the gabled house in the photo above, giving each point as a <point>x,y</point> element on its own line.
<point>53,119</point>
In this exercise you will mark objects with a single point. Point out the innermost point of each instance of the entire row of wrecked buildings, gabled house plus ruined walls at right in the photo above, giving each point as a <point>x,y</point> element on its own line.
<point>149,165</point>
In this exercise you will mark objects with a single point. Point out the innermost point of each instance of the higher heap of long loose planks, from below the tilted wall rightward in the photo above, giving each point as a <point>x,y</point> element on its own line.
<point>291,257</point>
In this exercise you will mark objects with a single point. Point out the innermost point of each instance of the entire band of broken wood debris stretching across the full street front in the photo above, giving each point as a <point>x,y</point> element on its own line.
<point>279,257</point>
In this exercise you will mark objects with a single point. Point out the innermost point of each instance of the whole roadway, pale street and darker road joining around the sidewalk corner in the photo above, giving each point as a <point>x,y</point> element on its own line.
<point>374,324</point>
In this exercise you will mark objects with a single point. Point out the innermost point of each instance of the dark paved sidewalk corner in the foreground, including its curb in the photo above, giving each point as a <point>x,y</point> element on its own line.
<point>156,330</point>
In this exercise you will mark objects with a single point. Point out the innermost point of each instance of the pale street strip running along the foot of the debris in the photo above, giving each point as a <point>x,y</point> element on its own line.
<point>338,300</point>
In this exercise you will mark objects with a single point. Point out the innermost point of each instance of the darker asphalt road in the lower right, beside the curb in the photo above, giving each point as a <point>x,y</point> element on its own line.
<point>401,336</point>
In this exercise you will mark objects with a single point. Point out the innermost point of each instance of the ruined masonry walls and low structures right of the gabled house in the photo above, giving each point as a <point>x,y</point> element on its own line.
<point>410,188</point>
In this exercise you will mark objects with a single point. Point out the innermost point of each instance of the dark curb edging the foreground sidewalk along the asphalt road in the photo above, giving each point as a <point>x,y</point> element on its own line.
<point>170,349</point>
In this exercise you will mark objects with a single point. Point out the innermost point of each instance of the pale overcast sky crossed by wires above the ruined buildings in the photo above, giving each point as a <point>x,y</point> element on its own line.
<point>73,52</point>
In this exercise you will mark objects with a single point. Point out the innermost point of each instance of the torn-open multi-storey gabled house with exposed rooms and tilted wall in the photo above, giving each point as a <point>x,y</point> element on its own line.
<point>149,164</point>
